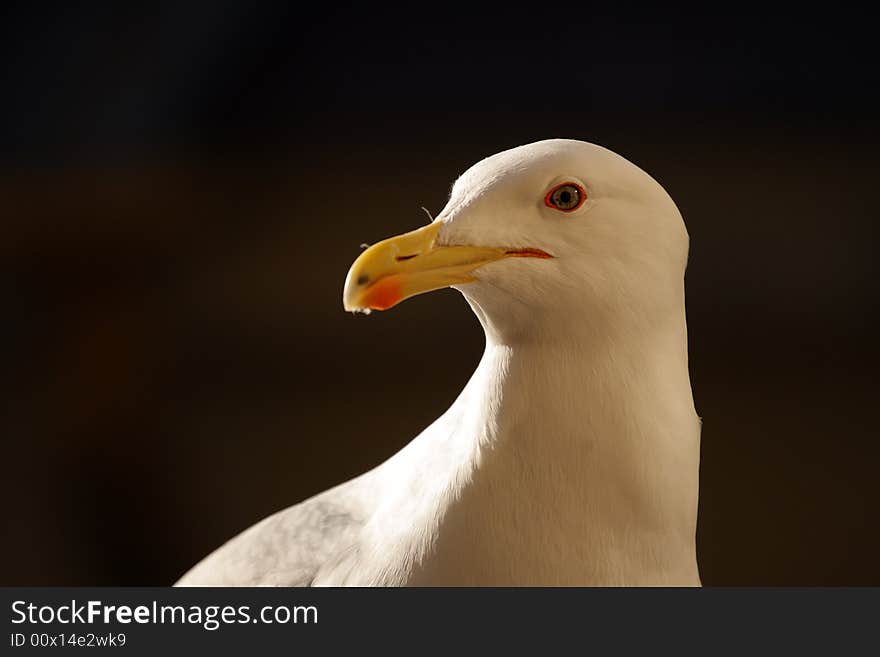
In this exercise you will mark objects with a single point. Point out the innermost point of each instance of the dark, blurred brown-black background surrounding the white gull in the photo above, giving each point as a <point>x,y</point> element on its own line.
<point>183,188</point>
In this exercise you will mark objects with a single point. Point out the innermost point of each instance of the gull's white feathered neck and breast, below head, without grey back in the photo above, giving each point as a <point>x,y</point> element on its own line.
<point>566,463</point>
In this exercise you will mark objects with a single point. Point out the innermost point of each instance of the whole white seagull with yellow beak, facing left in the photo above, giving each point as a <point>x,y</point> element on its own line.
<point>571,456</point>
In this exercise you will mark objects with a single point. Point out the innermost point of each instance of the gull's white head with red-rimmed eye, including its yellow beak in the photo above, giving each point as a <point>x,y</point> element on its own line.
<point>558,233</point>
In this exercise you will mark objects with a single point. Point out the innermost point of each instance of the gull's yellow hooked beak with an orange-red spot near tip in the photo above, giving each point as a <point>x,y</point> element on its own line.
<point>404,266</point>
